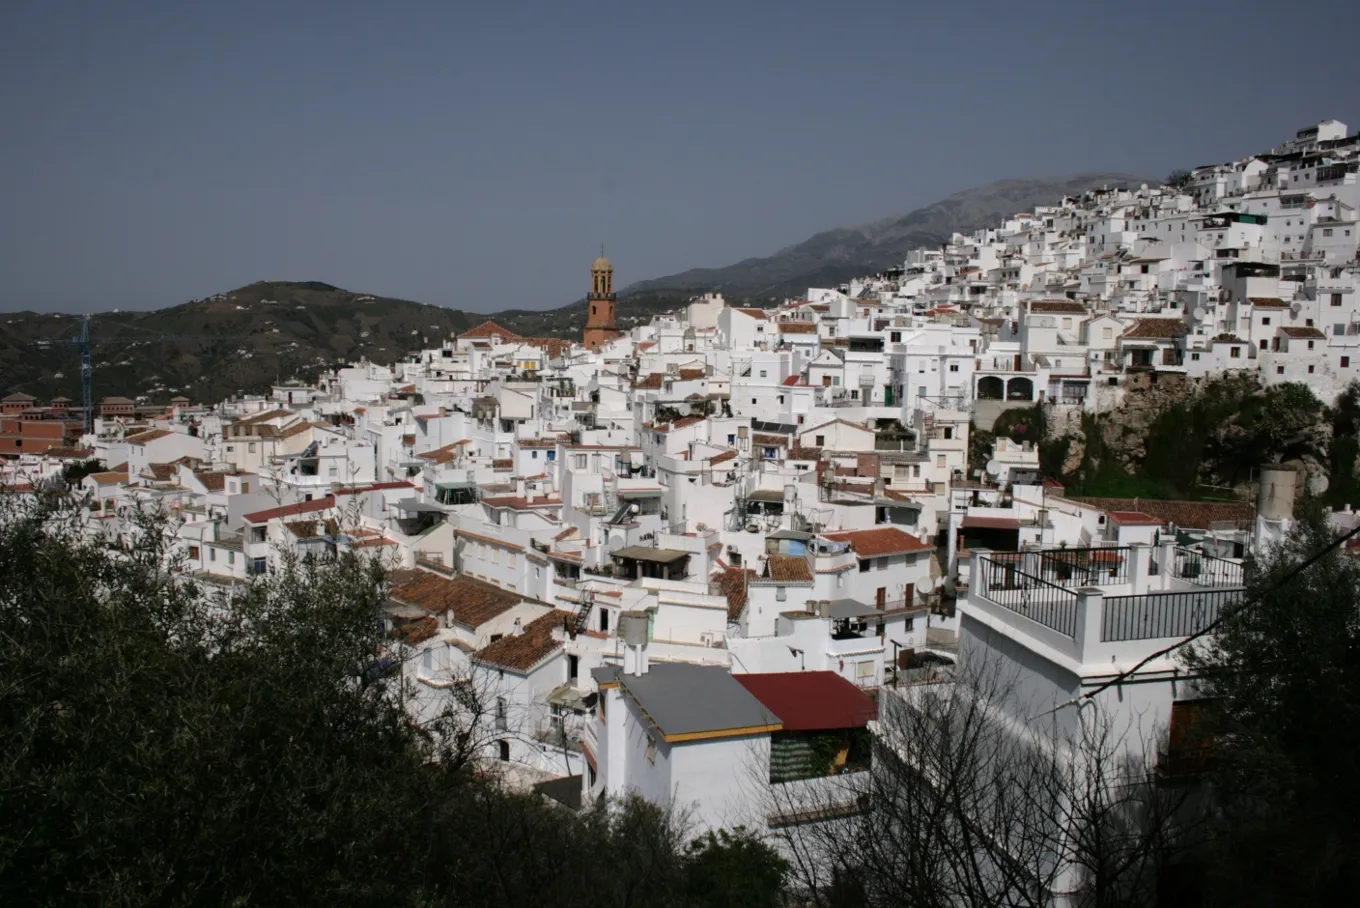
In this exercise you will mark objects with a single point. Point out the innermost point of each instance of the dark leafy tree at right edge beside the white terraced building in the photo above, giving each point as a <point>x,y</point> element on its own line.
<point>1285,725</point>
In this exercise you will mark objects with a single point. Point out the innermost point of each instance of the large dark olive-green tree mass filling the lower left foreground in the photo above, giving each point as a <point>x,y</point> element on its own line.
<point>172,744</point>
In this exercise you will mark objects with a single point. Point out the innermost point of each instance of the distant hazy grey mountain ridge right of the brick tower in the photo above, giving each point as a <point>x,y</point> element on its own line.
<point>836,256</point>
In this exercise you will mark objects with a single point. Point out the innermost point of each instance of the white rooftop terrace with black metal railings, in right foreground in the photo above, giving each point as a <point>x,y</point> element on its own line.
<point>1108,607</point>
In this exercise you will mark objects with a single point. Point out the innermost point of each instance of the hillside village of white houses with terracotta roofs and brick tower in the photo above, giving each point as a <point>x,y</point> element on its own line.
<point>734,531</point>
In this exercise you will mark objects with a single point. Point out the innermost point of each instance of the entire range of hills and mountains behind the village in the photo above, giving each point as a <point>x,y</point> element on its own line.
<point>247,339</point>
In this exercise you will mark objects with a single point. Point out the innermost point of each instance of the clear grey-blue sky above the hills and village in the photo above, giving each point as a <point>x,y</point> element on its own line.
<point>477,154</point>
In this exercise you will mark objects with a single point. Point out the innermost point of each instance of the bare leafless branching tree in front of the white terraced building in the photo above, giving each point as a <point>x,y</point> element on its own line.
<point>962,809</point>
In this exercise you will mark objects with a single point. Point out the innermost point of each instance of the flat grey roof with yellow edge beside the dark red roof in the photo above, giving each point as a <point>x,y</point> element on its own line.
<point>693,699</point>
